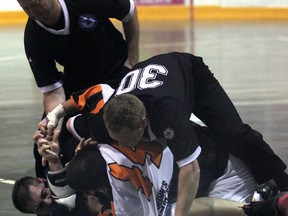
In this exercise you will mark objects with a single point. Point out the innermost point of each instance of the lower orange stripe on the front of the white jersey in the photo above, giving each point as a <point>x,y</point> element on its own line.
<point>134,175</point>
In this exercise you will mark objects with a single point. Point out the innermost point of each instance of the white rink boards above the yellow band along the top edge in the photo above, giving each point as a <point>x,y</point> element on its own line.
<point>11,5</point>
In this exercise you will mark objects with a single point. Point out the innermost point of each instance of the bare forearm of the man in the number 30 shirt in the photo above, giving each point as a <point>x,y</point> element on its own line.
<point>188,182</point>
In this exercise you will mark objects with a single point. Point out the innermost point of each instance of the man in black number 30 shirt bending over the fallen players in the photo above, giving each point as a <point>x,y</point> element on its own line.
<point>166,89</point>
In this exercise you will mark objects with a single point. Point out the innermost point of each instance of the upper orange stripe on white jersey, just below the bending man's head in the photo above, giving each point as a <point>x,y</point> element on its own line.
<point>138,155</point>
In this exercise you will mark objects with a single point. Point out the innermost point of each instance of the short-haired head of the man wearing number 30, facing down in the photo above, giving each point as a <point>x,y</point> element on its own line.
<point>125,119</point>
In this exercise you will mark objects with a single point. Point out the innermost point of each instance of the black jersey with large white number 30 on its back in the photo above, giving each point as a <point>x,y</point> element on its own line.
<point>166,85</point>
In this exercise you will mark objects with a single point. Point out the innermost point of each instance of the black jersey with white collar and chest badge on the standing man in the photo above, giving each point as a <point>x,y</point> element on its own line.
<point>88,46</point>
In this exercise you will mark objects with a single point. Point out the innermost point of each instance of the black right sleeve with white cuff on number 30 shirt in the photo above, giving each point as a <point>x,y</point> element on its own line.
<point>170,120</point>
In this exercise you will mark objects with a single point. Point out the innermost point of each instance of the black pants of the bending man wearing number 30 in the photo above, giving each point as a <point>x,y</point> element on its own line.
<point>212,105</point>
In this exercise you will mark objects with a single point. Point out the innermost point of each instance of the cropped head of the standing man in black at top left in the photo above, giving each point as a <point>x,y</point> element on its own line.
<point>41,10</point>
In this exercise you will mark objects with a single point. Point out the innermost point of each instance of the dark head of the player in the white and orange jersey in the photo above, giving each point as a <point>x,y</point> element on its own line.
<point>87,172</point>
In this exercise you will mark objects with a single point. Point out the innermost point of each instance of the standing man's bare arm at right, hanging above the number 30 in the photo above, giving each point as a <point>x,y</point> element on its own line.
<point>131,30</point>
